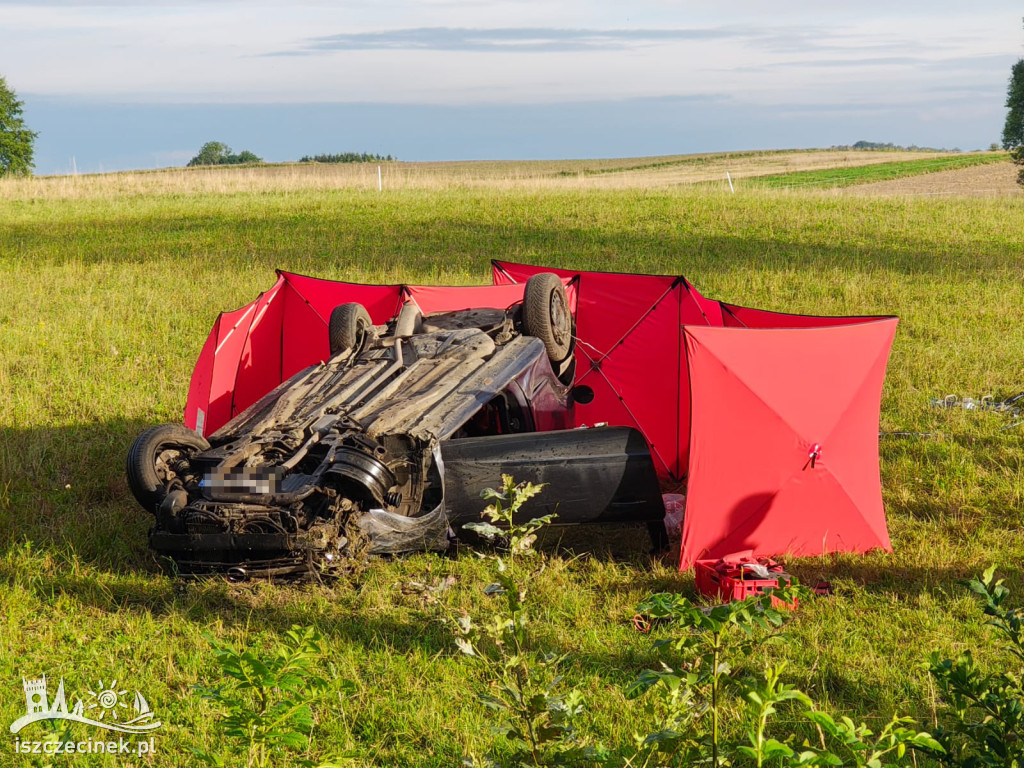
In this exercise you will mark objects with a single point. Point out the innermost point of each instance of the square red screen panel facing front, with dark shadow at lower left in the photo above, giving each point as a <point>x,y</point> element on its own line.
<point>785,444</point>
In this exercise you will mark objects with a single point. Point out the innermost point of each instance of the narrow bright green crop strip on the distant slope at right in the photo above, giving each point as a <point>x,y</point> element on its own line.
<point>866,175</point>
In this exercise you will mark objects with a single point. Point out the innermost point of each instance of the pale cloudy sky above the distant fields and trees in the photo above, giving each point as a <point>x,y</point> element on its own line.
<point>122,86</point>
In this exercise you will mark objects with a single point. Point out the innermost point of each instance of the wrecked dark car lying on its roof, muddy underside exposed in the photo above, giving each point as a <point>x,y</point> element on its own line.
<point>386,447</point>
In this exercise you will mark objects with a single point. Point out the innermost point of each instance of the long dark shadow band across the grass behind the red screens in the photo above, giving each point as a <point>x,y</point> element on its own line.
<point>421,237</point>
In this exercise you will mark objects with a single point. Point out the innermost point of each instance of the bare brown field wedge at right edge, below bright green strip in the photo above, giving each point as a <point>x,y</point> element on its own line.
<point>992,181</point>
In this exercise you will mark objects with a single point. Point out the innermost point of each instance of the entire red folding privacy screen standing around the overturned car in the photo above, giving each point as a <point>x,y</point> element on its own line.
<point>658,357</point>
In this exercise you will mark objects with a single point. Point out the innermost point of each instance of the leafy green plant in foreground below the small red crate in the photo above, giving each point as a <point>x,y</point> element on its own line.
<point>697,689</point>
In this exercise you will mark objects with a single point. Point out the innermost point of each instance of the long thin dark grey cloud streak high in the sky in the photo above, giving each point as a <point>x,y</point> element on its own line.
<point>510,40</point>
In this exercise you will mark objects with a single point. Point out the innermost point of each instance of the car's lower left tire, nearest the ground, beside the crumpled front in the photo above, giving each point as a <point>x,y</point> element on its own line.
<point>155,459</point>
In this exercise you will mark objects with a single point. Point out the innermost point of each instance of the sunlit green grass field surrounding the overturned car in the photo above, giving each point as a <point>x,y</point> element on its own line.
<point>107,295</point>
